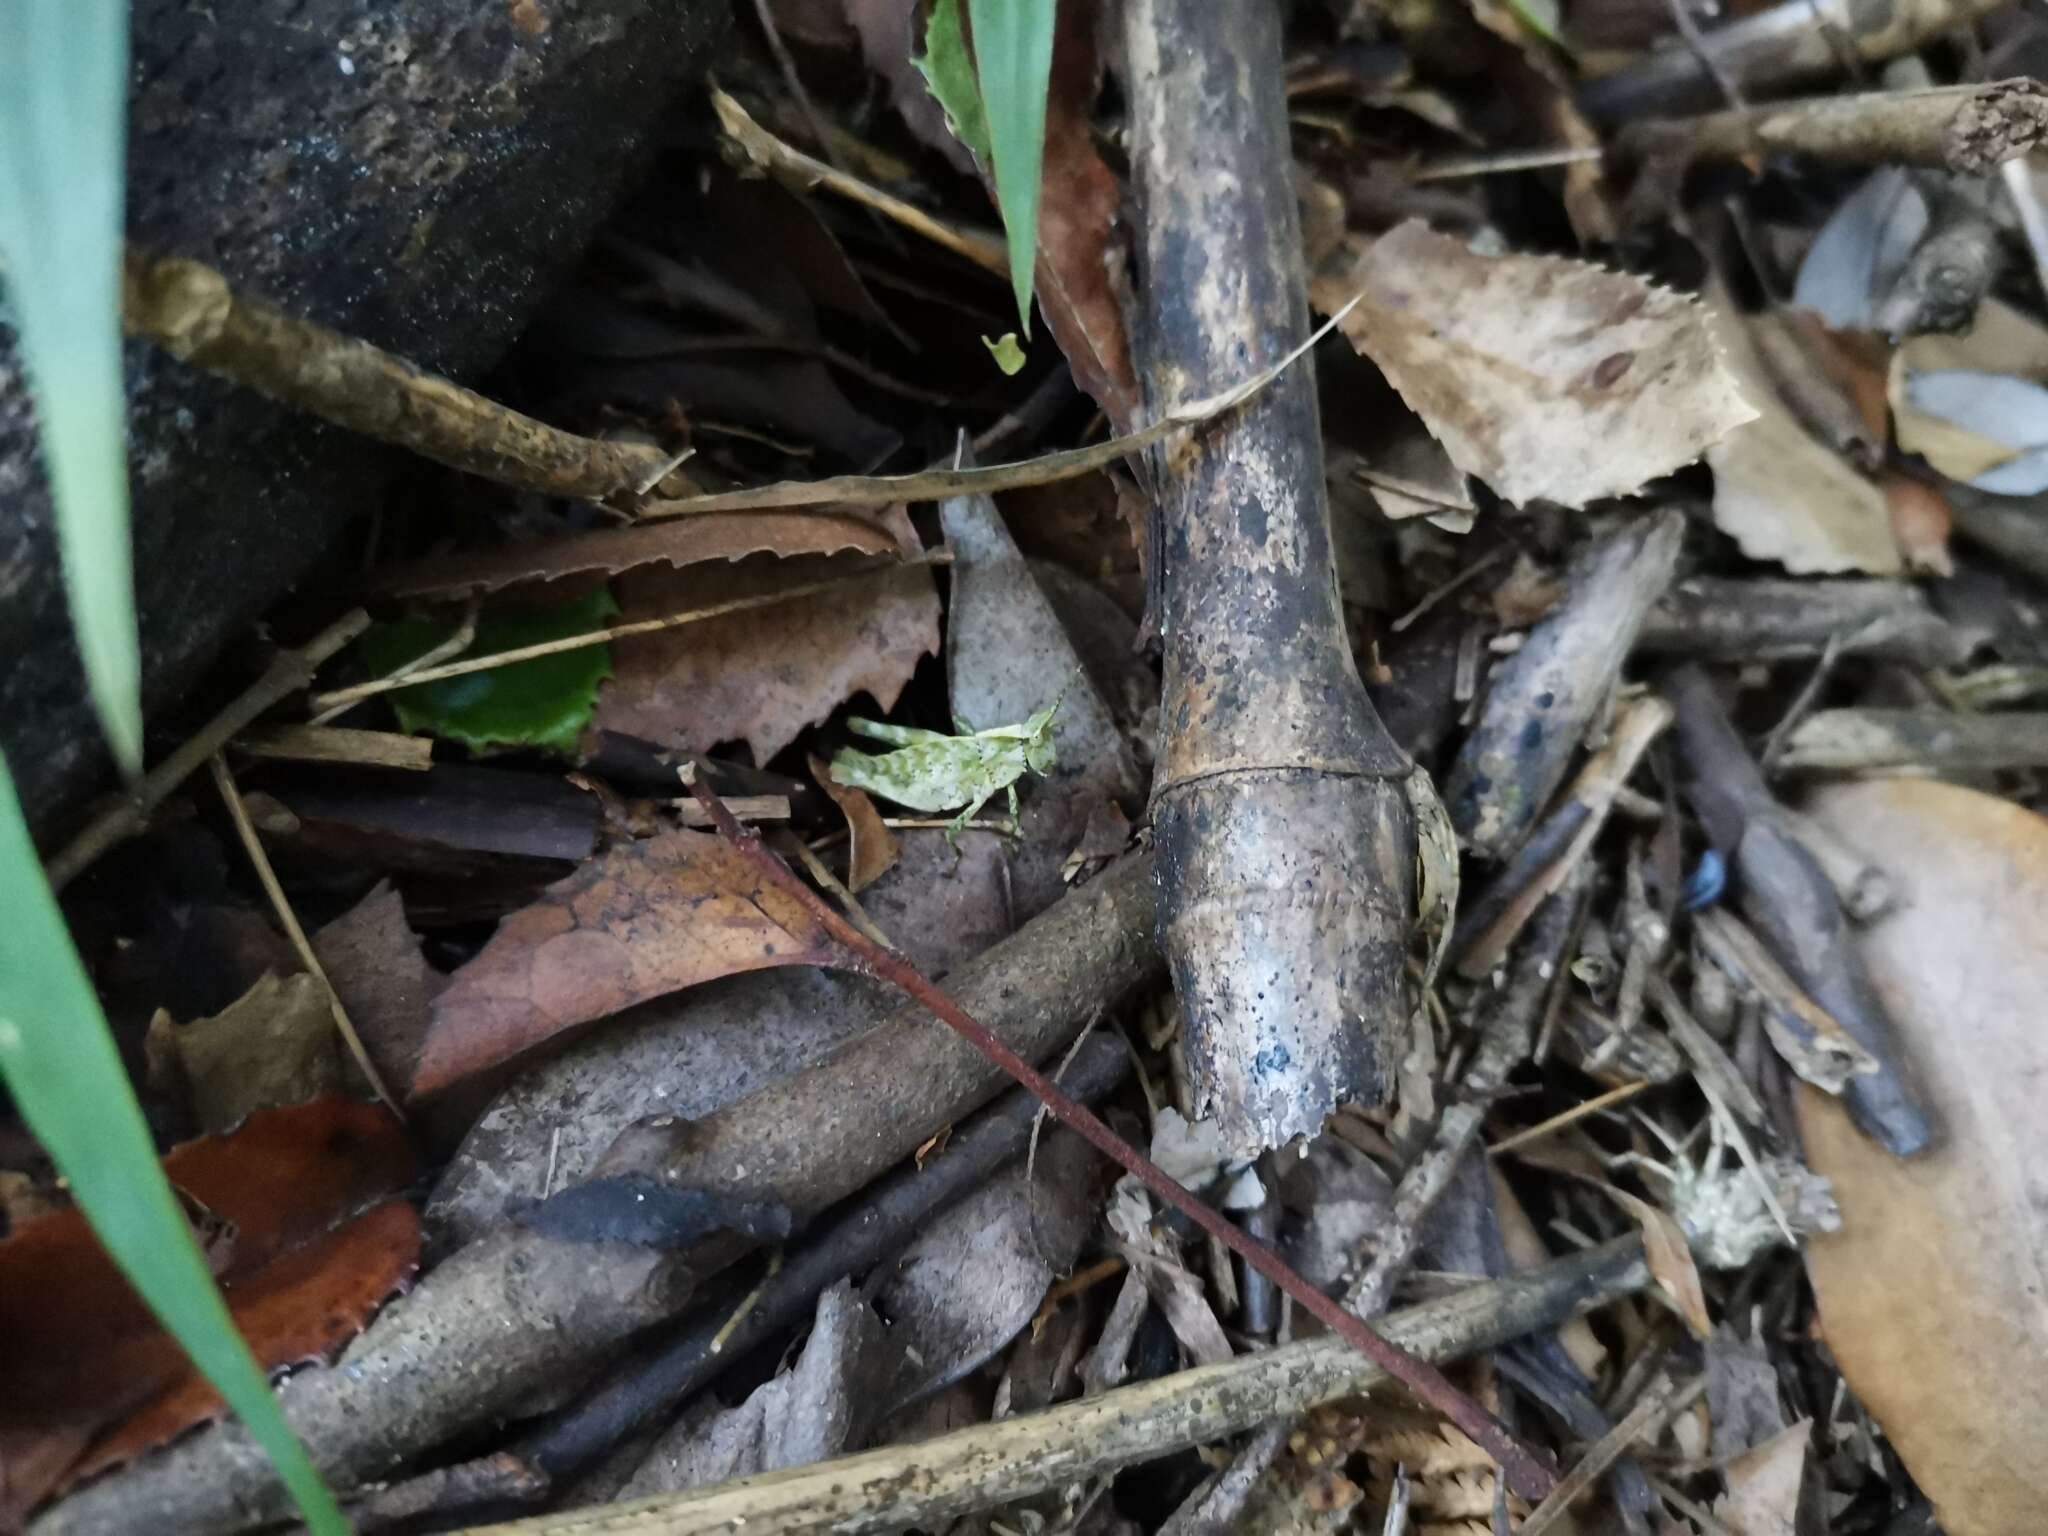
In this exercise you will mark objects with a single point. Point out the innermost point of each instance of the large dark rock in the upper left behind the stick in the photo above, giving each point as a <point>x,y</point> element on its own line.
<point>417,173</point>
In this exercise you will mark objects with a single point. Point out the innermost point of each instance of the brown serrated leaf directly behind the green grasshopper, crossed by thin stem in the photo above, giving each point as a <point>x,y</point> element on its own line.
<point>765,675</point>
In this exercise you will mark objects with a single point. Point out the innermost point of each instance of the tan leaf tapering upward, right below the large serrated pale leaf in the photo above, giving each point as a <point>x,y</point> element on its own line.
<point>1785,497</point>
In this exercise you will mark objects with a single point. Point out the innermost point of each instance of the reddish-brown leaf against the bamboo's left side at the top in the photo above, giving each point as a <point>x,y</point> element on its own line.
<point>1080,263</point>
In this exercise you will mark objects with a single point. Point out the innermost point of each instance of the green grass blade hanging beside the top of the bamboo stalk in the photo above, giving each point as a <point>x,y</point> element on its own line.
<point>1015,60</point>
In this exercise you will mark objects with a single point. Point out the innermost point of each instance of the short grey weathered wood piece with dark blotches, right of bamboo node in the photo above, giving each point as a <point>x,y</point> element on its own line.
<point>1545,697</point>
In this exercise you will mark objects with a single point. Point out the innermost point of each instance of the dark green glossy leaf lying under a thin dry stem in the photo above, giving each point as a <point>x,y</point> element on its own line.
<point>542,703</point>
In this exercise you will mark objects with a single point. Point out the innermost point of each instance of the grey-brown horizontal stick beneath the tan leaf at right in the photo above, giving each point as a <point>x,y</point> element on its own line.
<point>1770,620</point>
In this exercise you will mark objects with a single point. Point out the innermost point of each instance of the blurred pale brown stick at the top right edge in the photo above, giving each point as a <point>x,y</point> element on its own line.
<point>1775,48</point>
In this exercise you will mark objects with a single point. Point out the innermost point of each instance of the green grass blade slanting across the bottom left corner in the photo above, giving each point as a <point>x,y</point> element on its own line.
<point>65,1072</point>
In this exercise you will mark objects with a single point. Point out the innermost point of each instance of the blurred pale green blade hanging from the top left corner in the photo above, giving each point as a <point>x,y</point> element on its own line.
<point>62,165</point>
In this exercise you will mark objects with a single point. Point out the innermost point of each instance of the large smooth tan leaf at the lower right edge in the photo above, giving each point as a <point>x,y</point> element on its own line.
<point>1934,1295</point>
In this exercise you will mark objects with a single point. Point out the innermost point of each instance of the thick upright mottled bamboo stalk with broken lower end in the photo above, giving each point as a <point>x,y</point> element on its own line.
<point>1287,847</point>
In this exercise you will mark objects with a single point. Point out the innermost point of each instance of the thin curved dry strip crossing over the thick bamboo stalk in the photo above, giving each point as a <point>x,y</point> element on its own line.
<point>945,484</point>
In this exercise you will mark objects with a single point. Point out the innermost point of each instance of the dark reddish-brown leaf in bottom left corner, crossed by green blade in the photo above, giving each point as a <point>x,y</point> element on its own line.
<point>81,1349</point>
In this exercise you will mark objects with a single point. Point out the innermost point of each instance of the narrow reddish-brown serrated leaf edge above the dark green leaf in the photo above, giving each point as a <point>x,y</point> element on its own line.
<point>669,542</point>
